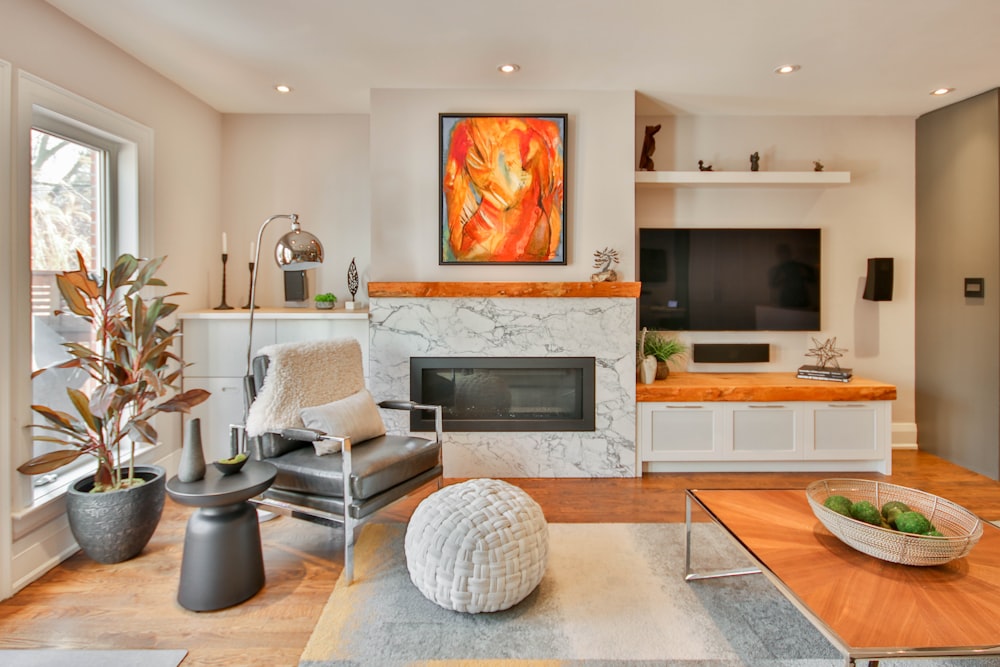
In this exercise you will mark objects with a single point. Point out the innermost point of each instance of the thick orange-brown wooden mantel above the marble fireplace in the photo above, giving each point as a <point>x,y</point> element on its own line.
<point>504,289</point>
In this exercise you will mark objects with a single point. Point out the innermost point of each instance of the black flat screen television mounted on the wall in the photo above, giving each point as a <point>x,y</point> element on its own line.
<point>730,279</point>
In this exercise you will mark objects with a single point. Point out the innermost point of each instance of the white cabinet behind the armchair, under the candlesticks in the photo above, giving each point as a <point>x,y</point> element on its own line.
<point>214,343</point>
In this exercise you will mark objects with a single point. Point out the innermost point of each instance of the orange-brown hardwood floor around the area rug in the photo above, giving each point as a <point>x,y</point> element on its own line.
<point>83,604</point>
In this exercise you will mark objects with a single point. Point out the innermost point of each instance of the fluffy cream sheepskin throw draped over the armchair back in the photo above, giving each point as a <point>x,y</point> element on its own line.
<point>302,375</point>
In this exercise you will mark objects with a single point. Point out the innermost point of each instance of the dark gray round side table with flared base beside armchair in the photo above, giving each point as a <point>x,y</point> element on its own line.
<point>222,564</point>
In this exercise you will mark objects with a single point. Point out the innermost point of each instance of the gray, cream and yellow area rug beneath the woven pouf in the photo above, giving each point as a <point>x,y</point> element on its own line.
<point>613,594</point>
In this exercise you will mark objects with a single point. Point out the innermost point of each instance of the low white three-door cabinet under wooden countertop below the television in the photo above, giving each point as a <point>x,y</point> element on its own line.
<point>737,436</point>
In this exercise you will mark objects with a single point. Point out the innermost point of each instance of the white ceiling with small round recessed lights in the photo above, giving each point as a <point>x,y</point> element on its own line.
<point>858,57</point>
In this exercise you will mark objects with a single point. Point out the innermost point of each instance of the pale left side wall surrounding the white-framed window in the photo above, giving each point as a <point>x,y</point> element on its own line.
<point>38,40</point>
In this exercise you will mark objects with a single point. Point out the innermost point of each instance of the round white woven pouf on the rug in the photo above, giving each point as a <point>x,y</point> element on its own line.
<point>481,545</point>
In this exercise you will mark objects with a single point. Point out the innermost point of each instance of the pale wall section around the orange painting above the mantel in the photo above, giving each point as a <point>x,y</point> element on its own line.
<point>405,181</point>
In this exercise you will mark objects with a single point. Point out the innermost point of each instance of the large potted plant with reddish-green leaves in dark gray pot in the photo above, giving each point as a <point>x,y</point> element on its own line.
<point>133,375</point>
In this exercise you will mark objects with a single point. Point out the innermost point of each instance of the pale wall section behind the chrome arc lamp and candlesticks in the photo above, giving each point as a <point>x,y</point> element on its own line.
<point>314,165</point>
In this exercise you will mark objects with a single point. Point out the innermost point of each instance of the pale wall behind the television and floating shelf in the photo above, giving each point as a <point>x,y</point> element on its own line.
<point>873,216</point>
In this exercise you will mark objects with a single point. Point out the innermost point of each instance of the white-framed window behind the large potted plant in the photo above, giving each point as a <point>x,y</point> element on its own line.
<point>90,185</point>
